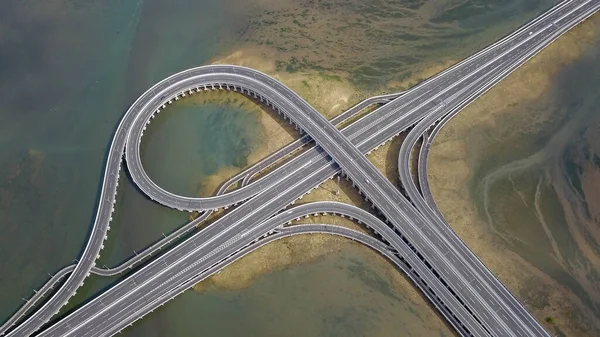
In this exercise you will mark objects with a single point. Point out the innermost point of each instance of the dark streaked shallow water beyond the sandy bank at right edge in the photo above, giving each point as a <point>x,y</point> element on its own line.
<point>535,197</point>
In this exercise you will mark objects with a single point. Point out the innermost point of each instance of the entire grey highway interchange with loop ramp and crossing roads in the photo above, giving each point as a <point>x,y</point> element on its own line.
<point>438,262</point>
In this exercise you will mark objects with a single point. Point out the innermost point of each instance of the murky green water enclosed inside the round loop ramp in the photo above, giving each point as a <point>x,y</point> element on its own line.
<point>184,144</point>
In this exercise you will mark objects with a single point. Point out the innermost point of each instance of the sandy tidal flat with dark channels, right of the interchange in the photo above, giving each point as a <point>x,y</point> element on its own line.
<point>516,176</point>
